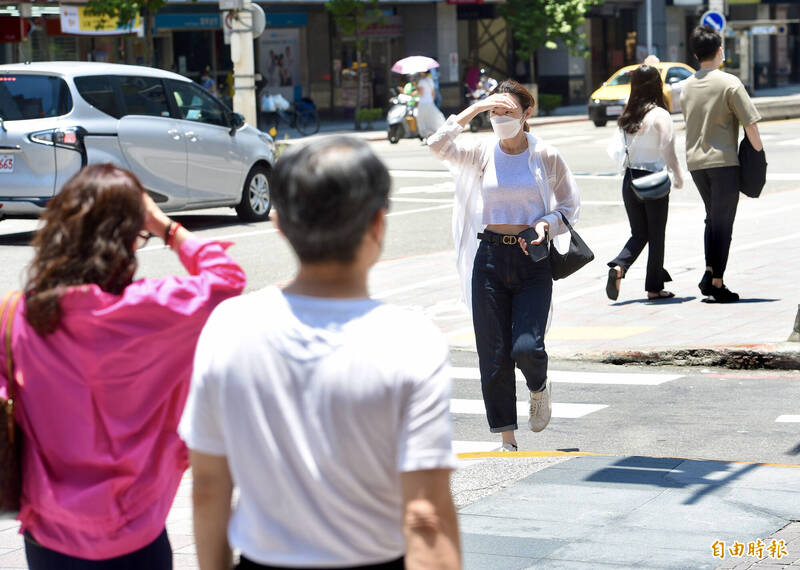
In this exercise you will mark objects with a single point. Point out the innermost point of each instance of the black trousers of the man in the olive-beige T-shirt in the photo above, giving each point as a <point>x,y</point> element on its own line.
<point>719,188</point>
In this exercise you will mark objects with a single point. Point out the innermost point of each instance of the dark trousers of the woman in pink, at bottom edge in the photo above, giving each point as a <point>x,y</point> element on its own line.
<point>155,556</point>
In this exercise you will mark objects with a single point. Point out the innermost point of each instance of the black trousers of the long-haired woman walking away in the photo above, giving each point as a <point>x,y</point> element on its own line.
<point>648,220</point>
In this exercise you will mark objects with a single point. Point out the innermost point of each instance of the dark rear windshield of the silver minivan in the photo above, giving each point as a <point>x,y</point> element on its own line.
<point>33,97</point>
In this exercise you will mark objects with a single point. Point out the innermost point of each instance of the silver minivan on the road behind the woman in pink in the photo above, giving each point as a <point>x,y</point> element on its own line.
<point>188,149</point>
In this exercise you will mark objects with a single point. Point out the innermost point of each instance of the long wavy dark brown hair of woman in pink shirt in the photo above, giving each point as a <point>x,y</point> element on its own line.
<point>88,236</point>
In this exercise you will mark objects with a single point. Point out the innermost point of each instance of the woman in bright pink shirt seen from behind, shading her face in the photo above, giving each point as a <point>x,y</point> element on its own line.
<point>102,372</point>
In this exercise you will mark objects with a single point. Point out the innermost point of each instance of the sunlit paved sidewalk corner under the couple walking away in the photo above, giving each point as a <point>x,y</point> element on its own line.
<point>586,325</point>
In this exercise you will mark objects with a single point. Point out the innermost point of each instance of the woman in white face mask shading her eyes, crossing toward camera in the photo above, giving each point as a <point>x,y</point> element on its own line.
<point>505,185</point>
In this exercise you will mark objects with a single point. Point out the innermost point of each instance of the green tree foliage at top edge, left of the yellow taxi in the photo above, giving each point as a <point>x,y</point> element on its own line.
<point>543,23</point>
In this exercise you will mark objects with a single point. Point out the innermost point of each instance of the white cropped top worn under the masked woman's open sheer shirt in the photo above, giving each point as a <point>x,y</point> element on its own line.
<point>510,194</point>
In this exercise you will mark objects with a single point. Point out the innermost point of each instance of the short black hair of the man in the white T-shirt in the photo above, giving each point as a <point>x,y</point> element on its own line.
<point>326,193</point>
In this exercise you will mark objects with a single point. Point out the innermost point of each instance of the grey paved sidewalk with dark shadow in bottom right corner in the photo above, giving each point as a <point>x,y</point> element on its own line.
<point>635,512</point>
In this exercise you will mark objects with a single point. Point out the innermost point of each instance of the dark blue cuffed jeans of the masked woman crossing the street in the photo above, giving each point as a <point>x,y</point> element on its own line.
<point>510,303</point>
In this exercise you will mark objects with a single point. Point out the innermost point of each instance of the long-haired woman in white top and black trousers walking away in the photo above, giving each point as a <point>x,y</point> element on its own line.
<point>644,143</point>
